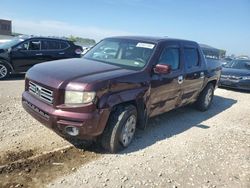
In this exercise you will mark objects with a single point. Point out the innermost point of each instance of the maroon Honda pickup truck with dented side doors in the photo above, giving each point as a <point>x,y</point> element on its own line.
<point>117,86</point>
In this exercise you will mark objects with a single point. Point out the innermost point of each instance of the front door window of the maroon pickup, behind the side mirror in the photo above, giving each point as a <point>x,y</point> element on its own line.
<point>170,56</point>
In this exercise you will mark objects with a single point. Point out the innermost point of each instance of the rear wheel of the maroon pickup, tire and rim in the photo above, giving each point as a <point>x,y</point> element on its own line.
<point>205,98</point>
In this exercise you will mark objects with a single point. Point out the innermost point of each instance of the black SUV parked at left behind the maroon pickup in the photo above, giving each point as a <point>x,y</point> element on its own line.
<point>21,53</point>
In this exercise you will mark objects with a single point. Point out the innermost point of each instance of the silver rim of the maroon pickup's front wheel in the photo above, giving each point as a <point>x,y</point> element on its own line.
<point>128,131</point>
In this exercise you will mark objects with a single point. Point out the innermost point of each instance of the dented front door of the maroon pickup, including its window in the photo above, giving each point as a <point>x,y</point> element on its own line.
<point>166,88</point>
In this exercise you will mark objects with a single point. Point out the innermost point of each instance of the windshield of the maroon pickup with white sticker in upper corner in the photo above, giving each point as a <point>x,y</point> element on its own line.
<point>125,53</point>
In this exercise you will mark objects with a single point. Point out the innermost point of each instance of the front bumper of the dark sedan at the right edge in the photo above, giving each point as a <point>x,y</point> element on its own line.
<point>236,84</point>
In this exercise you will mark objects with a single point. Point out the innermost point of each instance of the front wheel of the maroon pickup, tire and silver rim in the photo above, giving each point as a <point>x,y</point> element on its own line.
<point>120,129</point>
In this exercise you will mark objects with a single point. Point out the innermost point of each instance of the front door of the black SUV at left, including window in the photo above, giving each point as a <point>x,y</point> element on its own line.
<point>27,54</point>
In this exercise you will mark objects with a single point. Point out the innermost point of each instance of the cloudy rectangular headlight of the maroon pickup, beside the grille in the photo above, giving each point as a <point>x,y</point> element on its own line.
<point>78,97</point>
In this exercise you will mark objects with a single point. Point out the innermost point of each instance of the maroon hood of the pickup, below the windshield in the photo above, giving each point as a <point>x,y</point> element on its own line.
<point>61,72</point>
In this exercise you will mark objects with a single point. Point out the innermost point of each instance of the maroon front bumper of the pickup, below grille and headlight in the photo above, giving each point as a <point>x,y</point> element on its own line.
<point>89,125</point>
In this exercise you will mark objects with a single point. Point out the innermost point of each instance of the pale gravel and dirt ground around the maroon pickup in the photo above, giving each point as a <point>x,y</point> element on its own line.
<point>182,148</point>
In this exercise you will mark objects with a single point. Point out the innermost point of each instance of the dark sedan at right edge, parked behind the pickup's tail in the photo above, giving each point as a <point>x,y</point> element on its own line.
<point>236,74</point>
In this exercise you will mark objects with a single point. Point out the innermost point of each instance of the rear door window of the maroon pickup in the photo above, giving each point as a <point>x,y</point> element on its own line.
<point>191,57</point>
